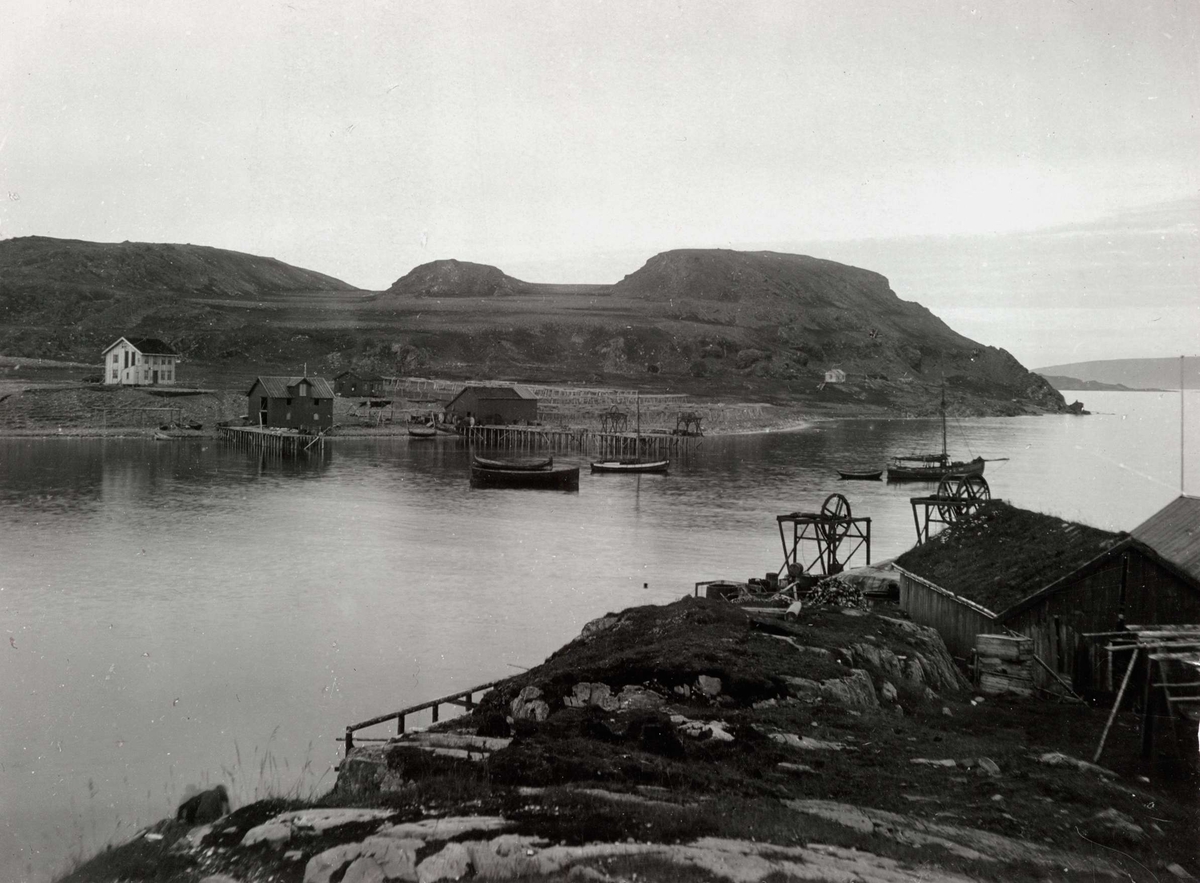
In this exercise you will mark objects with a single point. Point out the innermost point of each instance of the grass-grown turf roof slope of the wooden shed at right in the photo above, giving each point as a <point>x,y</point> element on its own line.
<point>1004,555</point>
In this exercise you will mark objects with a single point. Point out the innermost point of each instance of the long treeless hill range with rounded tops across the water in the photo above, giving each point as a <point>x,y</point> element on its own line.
<point>723,323</point>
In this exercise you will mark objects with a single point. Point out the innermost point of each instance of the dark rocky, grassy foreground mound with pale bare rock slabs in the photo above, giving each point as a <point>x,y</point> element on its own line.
<point>699,742</point>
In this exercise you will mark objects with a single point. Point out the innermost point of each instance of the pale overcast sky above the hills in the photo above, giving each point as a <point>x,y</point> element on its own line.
<point>1029,170</point>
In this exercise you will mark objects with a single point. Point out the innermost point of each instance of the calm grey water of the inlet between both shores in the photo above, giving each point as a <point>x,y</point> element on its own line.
<point>183,614</point>
